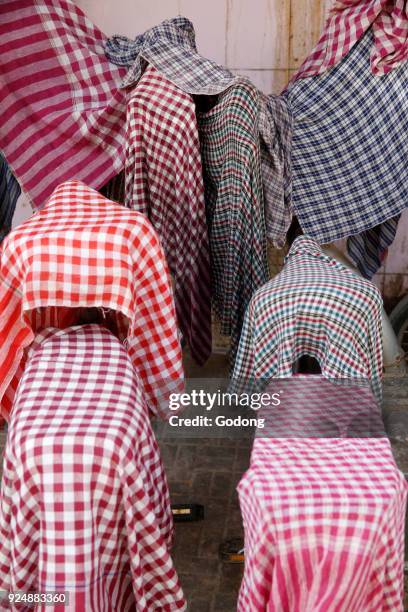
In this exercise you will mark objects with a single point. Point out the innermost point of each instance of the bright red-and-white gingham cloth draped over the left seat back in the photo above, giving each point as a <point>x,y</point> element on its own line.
<point>82,250</point>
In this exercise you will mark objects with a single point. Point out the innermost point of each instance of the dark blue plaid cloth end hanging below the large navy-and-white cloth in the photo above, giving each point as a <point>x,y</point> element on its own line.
<point>369,248</point>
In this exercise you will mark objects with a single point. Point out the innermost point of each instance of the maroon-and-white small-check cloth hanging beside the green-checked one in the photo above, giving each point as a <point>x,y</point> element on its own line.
<point>164,181</point>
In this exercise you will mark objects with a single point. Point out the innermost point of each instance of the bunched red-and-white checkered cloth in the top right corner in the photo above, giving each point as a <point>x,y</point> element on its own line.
<point>347,22</point>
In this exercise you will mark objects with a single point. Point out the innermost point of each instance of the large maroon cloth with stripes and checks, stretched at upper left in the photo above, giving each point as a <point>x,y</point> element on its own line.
<point>63,115</point>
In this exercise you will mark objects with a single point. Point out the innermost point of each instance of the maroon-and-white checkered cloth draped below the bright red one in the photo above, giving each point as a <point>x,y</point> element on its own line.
<point>84,506</point>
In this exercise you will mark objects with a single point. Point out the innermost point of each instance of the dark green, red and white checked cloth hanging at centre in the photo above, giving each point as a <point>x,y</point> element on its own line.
<point>234,199</point>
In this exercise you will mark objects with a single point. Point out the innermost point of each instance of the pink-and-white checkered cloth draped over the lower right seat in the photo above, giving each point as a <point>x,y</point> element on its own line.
<point>324,523</point>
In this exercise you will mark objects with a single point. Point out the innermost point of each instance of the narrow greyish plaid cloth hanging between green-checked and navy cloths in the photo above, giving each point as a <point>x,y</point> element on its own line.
<point>275,128</point>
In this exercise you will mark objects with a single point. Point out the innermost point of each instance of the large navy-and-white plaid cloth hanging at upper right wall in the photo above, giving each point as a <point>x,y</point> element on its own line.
<point>349,147</point>
